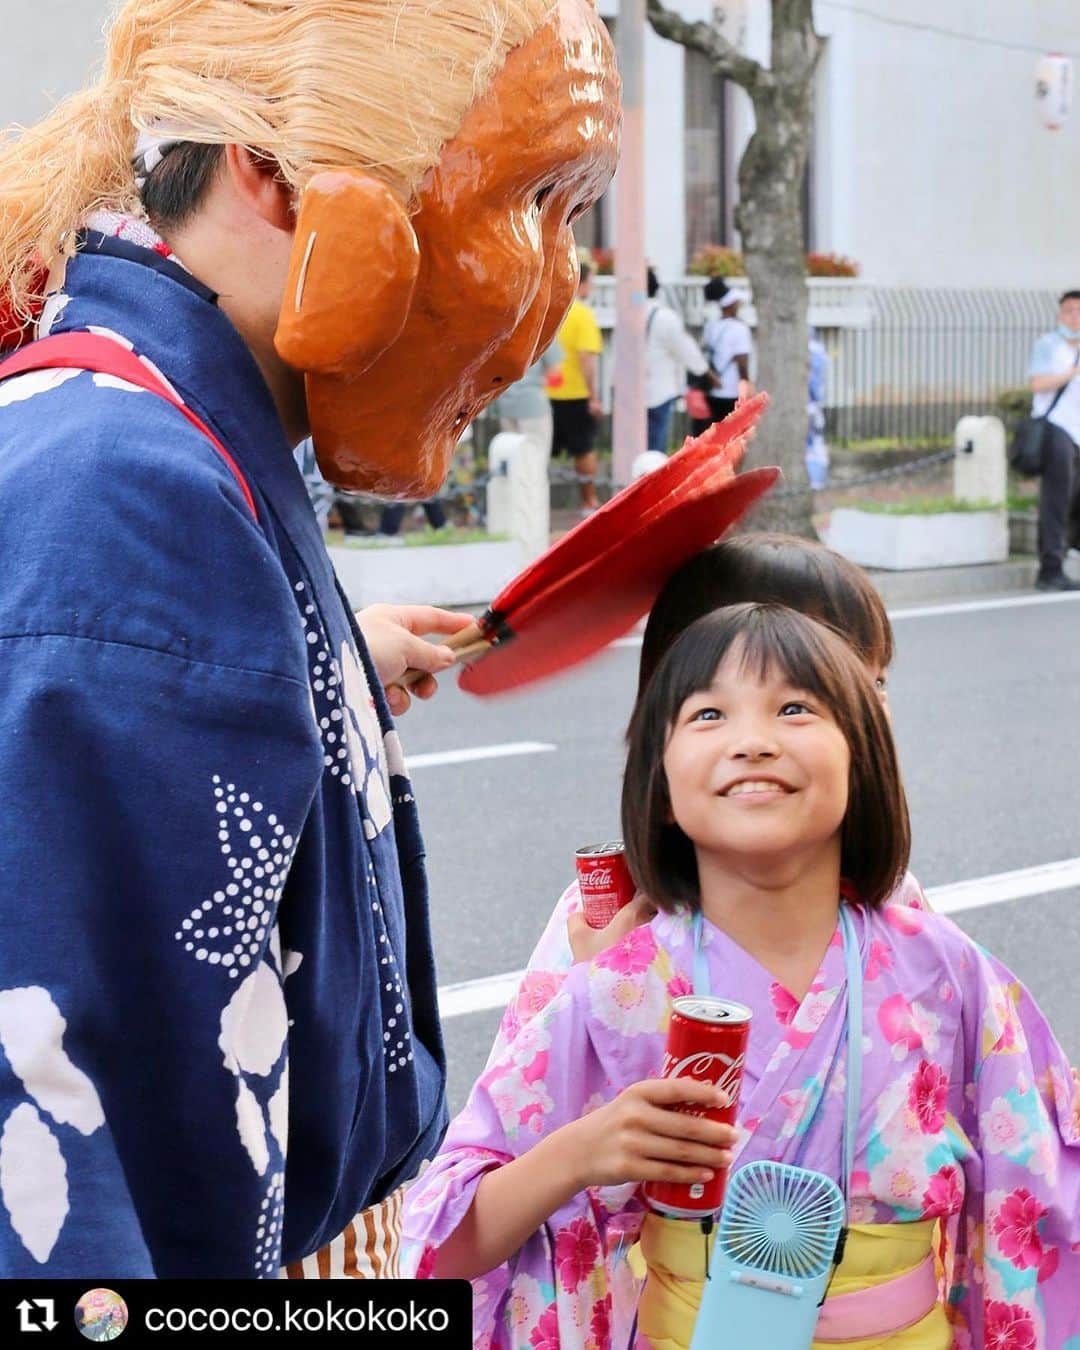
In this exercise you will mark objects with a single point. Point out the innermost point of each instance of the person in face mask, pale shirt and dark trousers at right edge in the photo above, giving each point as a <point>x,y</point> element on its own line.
<point>1054,383</point>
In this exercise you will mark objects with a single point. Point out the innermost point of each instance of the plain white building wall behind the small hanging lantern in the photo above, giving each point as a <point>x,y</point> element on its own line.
<point>932,165</point>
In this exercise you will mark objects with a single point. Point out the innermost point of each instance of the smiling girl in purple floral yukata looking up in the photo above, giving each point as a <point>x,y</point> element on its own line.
<point>763,794</point>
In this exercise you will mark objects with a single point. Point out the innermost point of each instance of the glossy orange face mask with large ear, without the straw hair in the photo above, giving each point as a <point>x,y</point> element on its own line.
<point>407,327</point>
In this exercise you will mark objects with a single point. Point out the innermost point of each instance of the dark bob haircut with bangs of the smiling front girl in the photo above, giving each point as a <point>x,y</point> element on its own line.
<point>877,838</point>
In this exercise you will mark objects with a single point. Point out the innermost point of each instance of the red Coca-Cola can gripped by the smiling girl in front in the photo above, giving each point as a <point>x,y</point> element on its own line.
<point>707,1042</point>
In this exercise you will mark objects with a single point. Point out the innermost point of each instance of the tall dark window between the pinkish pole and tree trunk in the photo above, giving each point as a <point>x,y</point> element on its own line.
<point>707,168</point>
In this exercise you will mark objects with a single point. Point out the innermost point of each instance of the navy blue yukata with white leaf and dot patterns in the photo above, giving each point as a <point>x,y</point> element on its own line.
<point>218,1010</point>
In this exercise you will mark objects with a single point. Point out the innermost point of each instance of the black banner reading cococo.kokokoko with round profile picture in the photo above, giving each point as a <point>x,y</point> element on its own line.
<point>146,1313</point>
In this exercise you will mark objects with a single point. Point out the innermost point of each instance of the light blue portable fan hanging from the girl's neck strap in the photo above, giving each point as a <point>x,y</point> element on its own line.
<point>773,1259</point>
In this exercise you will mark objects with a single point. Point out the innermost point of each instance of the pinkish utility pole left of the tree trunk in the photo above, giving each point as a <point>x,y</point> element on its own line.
<point>628,427</point>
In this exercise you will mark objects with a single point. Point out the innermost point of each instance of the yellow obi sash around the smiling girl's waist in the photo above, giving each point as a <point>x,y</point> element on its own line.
<point>674,1255</point>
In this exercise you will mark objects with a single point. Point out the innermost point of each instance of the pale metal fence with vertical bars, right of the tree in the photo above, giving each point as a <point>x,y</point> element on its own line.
<point>927,358</point>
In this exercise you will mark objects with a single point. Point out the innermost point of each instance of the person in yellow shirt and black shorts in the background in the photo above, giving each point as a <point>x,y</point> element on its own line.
<point>574,391</point>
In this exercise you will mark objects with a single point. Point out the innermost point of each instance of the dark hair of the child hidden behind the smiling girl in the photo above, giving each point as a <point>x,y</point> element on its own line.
<point>772,569</point>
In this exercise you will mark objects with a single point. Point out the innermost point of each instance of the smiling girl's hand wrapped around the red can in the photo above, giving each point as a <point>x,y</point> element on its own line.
<point>643,1136</point>
